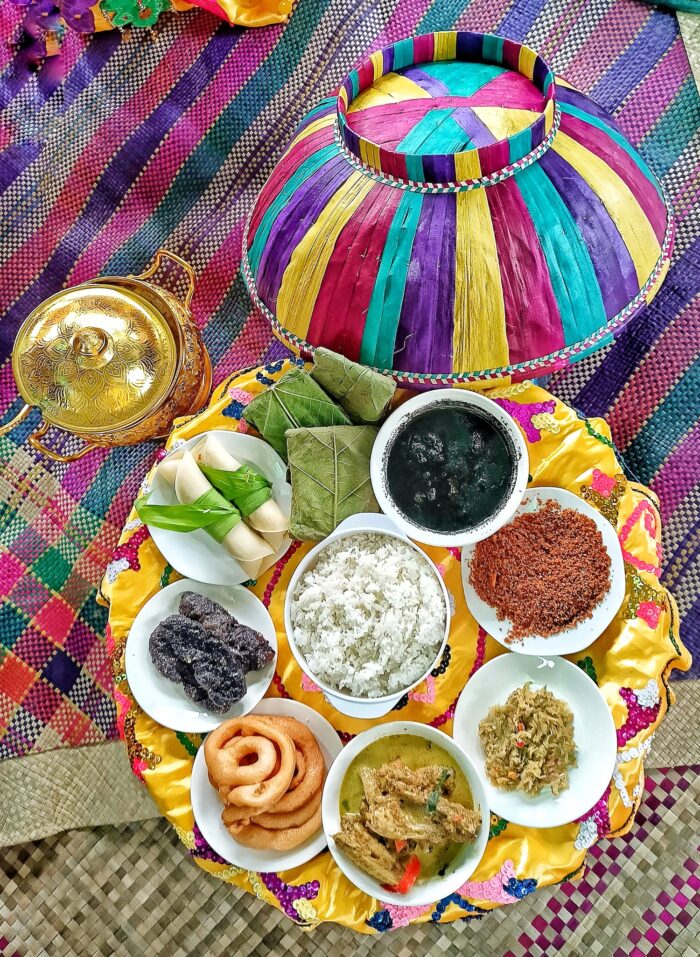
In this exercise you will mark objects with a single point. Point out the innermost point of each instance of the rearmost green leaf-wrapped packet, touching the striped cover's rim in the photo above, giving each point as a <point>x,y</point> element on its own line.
<point>363,393</point>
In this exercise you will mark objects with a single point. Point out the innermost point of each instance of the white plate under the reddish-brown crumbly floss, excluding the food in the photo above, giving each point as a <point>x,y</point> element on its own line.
<point>585,632</point>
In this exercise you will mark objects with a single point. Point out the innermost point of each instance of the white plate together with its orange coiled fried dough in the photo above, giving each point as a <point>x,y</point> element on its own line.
<point>257,783</point>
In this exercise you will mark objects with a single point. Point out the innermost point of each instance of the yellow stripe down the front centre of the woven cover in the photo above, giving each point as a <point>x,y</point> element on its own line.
<point>479,339</point>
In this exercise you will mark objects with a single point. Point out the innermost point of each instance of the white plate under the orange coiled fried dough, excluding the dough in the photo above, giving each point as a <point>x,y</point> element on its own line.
<point>207,806</point>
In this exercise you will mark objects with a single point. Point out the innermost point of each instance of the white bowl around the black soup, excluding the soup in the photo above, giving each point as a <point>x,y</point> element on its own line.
<point>399,419</point>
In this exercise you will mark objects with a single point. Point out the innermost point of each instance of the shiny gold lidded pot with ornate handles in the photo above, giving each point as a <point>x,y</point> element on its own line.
<point>113,361</point>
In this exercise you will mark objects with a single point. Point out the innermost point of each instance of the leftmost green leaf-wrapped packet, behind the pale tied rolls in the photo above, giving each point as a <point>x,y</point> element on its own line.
<point>291,403</point>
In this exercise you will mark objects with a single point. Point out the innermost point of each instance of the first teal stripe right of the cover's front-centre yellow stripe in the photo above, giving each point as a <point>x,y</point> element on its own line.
<point>570,268</point>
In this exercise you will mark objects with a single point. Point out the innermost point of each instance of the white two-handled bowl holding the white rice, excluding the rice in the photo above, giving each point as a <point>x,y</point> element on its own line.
<point>358,707</point>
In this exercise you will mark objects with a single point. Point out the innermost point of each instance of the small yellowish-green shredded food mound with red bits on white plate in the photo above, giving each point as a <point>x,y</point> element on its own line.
<point>529,742</point>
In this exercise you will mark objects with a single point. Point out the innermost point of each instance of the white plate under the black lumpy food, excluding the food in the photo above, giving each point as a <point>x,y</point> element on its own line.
<point>164,700</point>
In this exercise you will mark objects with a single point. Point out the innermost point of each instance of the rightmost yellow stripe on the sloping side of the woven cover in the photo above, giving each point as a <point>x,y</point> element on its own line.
<point>619,201</point>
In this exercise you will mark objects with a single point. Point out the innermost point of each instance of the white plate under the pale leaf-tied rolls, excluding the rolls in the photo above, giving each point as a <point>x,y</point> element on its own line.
<point>196,554</point>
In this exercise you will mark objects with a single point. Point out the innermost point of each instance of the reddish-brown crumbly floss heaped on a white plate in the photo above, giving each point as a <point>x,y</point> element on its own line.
<point>544,572</point>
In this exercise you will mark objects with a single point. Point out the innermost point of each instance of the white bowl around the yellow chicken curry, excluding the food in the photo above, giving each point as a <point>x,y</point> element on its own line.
<point>465,862</point>
